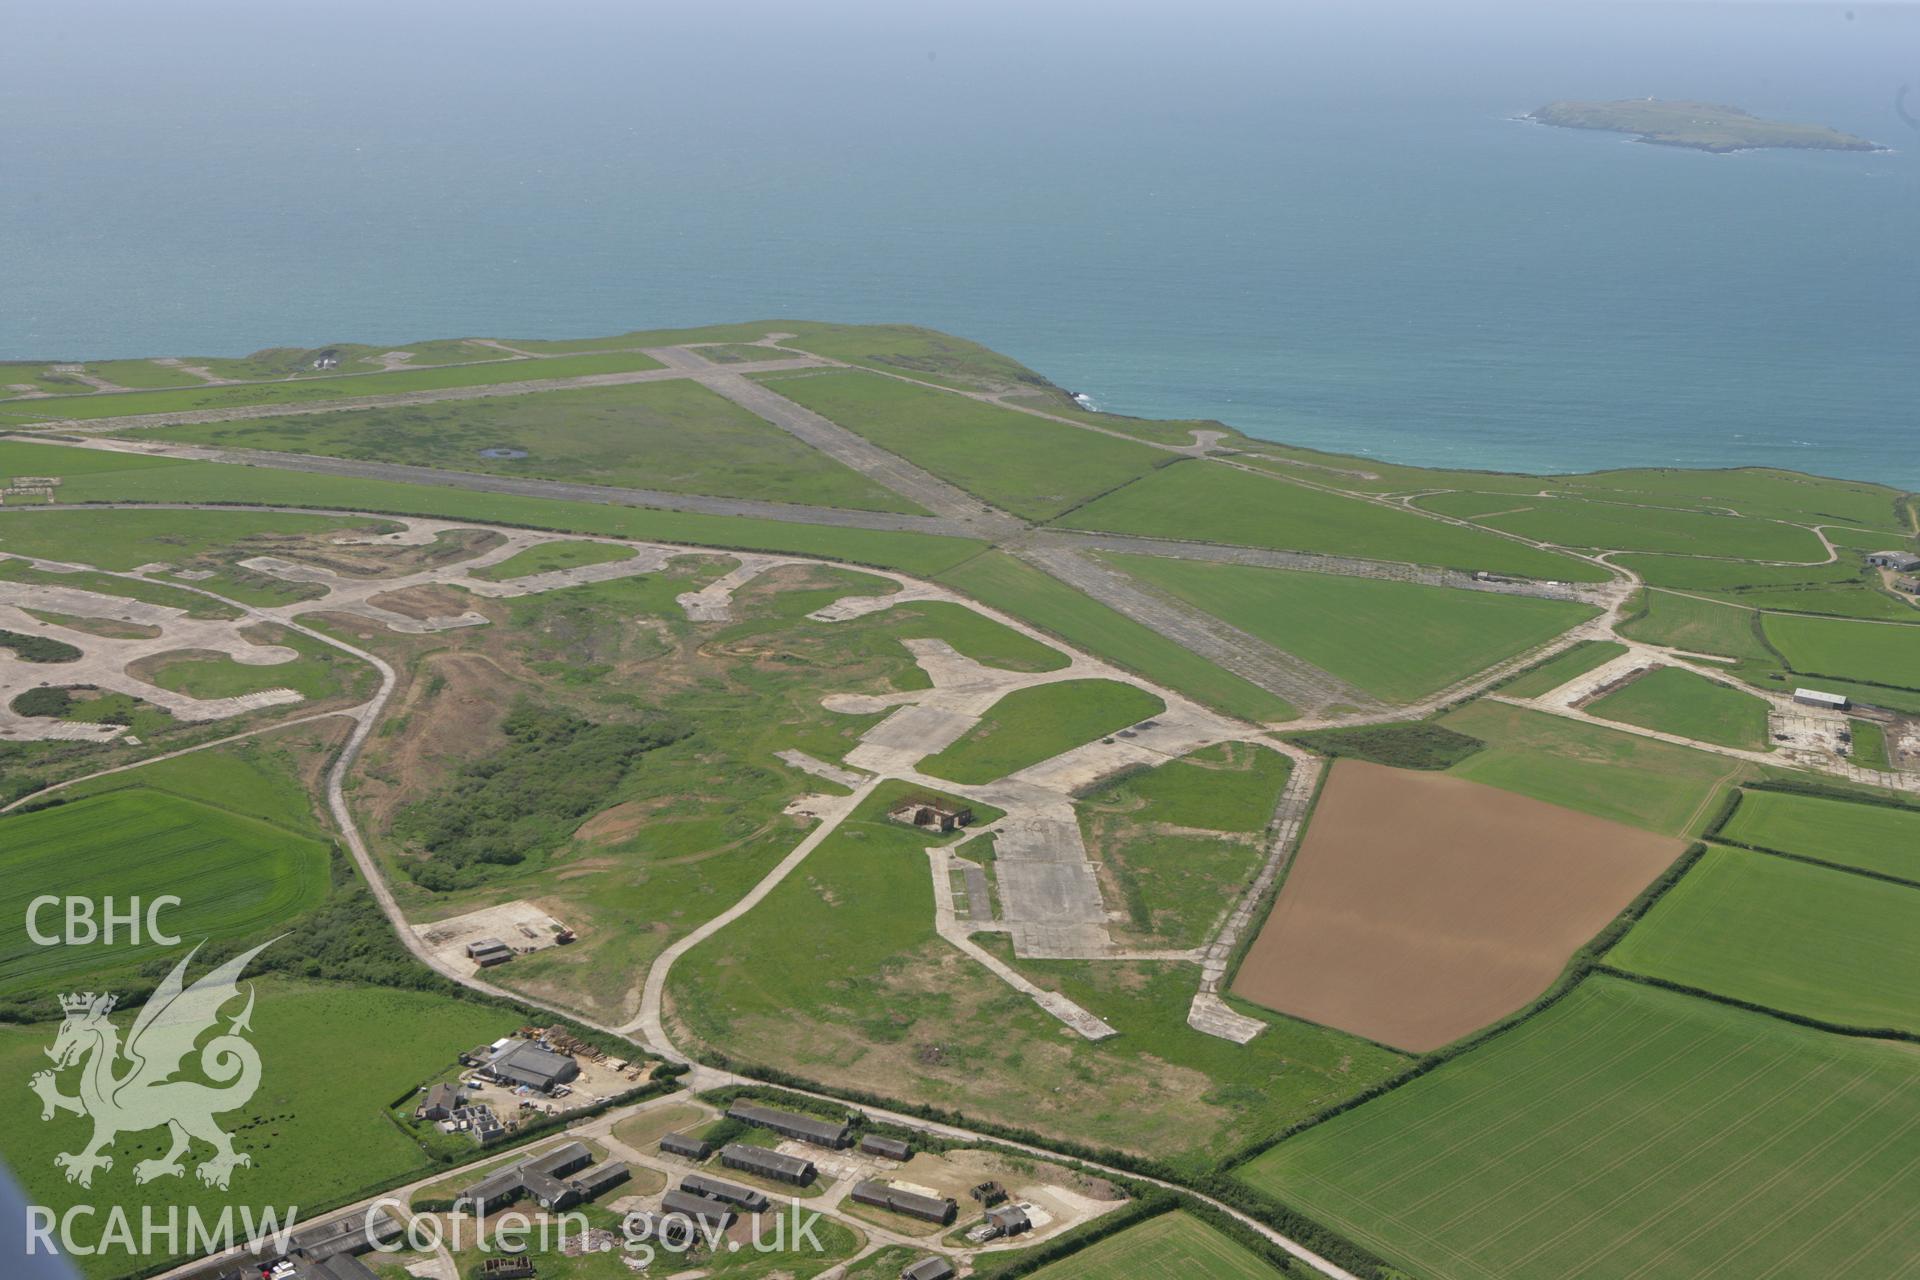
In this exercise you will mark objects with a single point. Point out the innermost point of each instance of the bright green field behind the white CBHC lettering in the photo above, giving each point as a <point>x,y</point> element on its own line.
<point>233,874</point>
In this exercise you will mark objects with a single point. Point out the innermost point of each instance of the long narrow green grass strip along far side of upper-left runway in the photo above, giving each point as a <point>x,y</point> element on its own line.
<point>316,391</point>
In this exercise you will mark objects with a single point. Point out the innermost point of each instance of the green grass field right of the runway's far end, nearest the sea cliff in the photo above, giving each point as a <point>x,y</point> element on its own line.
<point>1017,462</point>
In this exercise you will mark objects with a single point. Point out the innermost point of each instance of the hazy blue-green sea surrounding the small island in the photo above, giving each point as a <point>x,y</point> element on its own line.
<point>1318,224</point>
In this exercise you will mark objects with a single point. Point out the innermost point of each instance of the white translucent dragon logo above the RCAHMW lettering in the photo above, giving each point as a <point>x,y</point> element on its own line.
<point>147,1095</point>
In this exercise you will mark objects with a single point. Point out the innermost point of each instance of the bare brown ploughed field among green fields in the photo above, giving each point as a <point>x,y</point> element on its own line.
<point>1426,907</point>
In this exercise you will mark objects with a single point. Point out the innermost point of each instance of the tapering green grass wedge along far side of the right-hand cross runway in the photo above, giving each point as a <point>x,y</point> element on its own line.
<point>1224,506</point>
